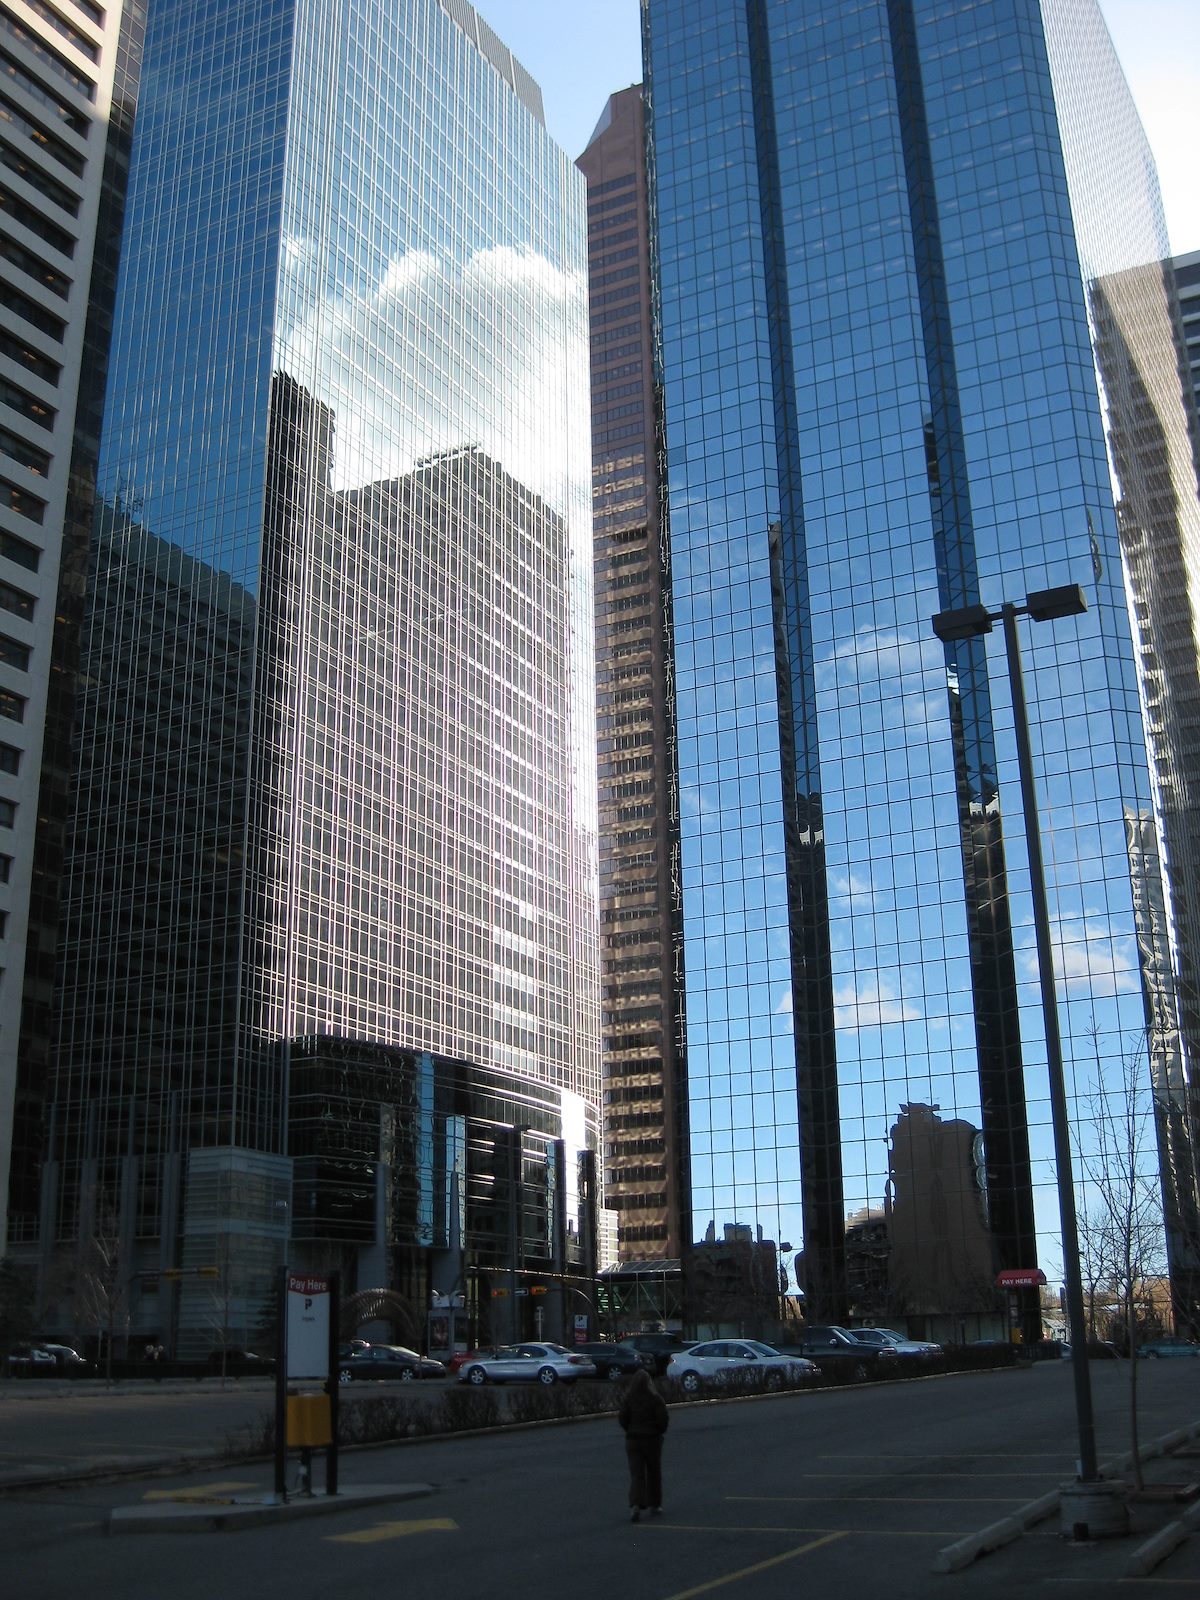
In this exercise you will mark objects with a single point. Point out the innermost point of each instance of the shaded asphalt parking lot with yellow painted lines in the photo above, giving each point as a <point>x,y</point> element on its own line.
<point>820,1492</point>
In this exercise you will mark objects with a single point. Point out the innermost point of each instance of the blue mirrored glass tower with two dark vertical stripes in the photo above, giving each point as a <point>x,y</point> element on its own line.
<point>881,402</point>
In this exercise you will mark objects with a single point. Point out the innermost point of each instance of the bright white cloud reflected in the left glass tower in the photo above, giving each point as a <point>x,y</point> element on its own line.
<point>436,356</point>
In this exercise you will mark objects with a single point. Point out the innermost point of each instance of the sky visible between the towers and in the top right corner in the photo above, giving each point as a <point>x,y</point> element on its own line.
<point>583,50</point>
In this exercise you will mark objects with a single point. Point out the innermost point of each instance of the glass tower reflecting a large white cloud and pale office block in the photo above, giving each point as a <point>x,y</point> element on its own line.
<point>337,796</point>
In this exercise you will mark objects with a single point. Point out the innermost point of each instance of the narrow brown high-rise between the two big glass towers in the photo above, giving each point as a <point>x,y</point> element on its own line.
<point>646,1124</point>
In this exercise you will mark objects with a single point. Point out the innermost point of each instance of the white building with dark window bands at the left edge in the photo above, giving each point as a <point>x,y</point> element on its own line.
<point>65,126</point>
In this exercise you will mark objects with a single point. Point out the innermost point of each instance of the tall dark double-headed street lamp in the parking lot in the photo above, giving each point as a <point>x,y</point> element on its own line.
<point>1044,606</point>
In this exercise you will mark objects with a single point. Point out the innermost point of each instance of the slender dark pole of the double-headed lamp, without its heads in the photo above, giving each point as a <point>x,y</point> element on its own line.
<point>1089,1470</point>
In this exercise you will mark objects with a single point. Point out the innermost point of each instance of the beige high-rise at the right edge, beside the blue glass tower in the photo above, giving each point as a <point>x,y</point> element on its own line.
<point>1140,358</point>
